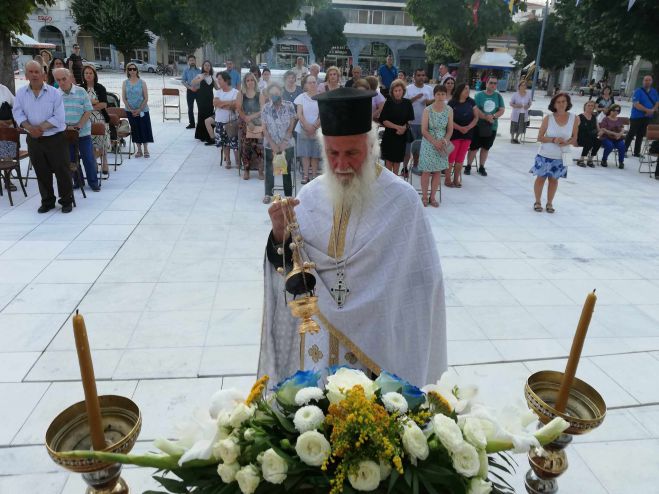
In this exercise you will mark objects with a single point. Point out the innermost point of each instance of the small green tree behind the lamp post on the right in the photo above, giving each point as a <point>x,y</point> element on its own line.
<point>559,50</point>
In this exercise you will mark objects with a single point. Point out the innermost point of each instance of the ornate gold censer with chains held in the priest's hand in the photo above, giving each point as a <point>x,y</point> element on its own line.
<point>299,281</point>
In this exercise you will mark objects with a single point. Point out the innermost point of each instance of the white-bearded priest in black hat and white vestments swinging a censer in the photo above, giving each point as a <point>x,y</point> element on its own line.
<point>379,280</point>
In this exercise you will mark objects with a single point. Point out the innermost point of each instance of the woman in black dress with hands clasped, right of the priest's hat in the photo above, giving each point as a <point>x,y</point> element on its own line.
<point>396,116</point>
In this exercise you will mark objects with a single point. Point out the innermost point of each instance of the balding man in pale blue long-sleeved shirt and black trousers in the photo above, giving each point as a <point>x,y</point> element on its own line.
<point>39,109</point>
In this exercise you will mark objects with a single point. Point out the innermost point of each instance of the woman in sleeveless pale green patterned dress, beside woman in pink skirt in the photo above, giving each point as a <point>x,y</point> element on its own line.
<point>436,128</point>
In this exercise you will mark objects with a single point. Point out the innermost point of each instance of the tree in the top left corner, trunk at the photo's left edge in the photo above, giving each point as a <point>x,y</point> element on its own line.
<point>14,21</point>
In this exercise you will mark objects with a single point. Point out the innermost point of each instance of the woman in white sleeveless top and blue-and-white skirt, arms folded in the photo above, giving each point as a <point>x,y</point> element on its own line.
<point>557,133</point>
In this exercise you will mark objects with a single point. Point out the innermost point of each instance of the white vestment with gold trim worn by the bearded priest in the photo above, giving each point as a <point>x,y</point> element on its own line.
<point>394,317</point>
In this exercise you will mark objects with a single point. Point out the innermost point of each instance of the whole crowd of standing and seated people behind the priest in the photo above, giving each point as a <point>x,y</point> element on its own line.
<point>262,125</point>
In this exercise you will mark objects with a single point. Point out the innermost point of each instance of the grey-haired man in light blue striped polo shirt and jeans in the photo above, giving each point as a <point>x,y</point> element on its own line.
<point>78,109</point>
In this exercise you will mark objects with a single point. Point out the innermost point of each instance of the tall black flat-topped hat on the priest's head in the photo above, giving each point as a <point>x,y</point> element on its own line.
<point>345,111</point>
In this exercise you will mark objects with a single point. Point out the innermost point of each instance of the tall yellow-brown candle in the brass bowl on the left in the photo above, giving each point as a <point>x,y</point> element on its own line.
<point>88,383</point>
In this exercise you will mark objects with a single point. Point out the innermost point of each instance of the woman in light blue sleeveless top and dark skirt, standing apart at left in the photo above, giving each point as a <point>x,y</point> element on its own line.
<point>136,97</point>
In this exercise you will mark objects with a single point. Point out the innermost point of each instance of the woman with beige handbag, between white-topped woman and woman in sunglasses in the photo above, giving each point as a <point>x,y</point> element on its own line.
<point>251,130</point>
